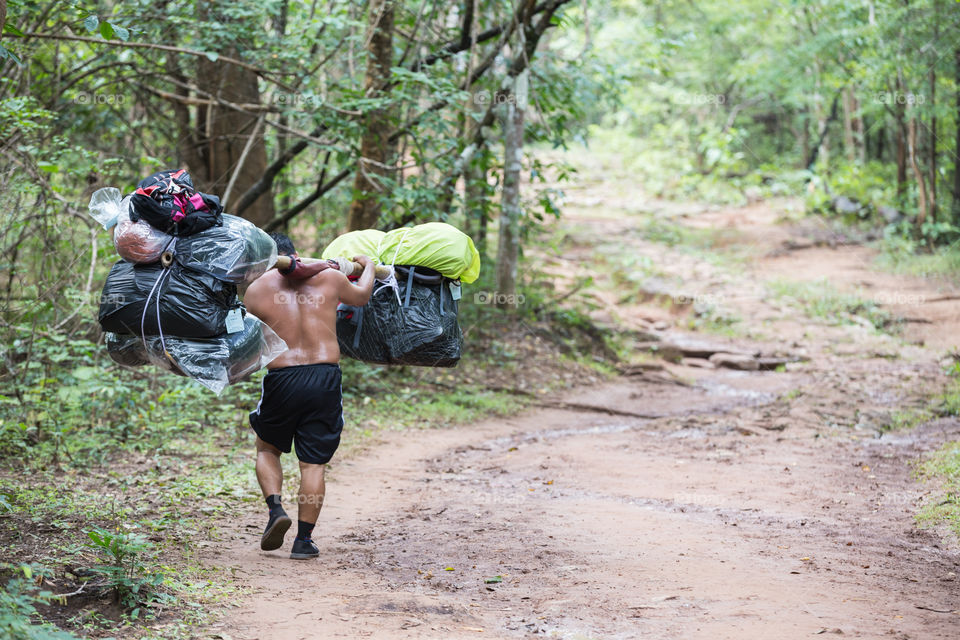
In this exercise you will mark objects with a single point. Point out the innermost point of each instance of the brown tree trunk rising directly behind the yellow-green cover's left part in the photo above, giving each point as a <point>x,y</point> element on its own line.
<point>375,148</point>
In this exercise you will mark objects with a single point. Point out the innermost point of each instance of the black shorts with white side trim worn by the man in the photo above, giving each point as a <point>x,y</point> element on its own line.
<point>301,405</point>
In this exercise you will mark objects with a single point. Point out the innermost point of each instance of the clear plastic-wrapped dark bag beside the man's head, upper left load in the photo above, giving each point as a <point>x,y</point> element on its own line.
<point>238,251</point>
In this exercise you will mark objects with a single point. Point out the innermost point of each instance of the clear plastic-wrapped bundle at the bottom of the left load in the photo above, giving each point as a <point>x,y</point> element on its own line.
<point>214,362</point>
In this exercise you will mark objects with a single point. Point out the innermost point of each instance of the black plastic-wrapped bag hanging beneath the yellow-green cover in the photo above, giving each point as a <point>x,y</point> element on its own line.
<point>417,327</point>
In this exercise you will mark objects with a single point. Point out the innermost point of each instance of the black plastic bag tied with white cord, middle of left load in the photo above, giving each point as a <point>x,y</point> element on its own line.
<point>189,304</point>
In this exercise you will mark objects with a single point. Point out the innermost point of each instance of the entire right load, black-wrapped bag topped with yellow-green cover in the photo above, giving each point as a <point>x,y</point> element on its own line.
<point>413,322</point>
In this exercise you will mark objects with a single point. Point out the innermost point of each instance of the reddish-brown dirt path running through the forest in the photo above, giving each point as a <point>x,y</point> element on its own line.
<point>744,504</point>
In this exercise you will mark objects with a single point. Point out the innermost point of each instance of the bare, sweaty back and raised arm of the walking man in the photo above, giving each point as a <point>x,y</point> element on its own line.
<point>304,312</point>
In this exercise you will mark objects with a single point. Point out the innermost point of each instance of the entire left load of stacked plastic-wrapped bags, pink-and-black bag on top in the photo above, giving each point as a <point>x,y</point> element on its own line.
<point>172,298</point>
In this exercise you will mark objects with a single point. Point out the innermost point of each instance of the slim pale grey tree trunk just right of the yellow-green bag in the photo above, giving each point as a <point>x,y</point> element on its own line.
<point>508,246</point>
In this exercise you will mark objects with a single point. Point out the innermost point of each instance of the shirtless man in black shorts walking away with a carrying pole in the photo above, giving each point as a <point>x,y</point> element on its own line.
<point>301,398</point>
